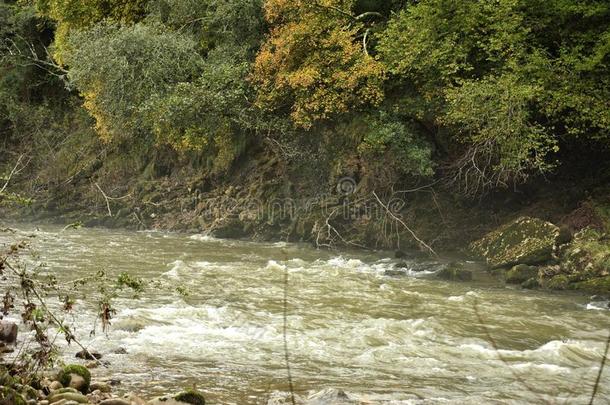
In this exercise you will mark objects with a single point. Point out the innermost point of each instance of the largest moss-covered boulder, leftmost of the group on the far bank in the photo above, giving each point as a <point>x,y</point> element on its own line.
<point>523,241</point>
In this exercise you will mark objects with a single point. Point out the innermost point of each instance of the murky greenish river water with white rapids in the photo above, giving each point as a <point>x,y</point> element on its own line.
<point>349,325</point>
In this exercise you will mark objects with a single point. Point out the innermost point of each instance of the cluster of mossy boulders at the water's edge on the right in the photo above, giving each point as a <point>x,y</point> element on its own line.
<point>538,254</point>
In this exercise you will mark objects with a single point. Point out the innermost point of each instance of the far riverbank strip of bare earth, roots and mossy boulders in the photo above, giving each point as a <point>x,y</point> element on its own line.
<point>551,242</point>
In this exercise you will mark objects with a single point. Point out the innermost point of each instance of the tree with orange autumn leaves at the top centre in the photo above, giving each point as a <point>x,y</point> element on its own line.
<point>314,63</point>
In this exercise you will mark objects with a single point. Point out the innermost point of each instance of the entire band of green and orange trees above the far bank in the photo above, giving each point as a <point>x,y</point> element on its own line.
<point>481,94</point>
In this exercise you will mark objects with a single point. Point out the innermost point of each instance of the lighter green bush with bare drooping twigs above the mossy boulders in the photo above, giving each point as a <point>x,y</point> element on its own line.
<point>494,116</point>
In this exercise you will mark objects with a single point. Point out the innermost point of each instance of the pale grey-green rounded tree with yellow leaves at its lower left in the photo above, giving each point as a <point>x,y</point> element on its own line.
<point>119,69</point>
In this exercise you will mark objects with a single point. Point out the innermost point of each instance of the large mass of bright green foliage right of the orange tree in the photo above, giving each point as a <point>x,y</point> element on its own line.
<point>510,80</point>
